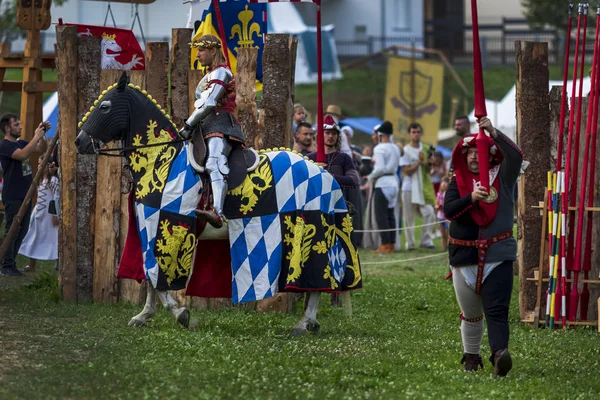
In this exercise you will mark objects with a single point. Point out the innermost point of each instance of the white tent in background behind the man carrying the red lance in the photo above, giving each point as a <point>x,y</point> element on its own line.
<point>503,113</point>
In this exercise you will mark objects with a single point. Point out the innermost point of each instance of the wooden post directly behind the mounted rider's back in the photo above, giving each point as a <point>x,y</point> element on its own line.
<point>245,81</point>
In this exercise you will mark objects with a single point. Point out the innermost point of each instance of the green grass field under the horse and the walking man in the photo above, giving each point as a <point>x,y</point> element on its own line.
<point>403,341</point>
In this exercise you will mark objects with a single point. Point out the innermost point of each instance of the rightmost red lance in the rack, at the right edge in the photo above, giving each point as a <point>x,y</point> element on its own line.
<point>587,263</point>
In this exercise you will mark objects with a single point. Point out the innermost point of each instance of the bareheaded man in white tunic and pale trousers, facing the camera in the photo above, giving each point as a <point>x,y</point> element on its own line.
<point>415,175</point>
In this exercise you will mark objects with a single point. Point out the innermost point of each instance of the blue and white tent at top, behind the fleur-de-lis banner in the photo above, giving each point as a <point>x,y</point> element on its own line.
<point>285,18</point>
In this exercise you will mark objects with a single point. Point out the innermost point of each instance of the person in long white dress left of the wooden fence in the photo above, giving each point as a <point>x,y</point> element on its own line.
<point>41,241</point>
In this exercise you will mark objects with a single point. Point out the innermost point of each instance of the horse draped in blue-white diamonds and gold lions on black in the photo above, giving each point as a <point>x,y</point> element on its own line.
<point>288,224</point>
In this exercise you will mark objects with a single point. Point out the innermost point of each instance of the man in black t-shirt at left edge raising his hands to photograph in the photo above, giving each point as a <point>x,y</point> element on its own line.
<point>14,157</point>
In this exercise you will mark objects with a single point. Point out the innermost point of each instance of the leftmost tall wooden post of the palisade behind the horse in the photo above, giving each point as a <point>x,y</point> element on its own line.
<point>66,62</point>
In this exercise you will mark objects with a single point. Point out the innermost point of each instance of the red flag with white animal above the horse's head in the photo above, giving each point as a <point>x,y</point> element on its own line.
<point>120,48</point>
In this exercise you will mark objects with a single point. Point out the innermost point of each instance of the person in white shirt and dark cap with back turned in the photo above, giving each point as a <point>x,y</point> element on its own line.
<point>387,158</point>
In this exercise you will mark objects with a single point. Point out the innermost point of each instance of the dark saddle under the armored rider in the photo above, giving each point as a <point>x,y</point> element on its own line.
<point>241,160</point>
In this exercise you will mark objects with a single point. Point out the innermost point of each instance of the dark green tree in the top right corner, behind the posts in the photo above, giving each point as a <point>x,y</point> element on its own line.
<point>548,13</point>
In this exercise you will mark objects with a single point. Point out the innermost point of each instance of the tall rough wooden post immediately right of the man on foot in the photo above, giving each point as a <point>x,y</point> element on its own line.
<point>533,123</point>
